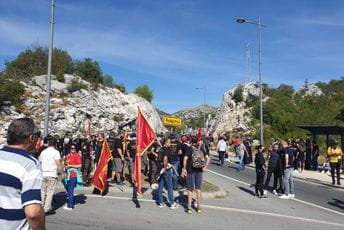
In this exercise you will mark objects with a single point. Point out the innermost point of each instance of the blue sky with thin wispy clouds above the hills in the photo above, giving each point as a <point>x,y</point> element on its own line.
<point>176,46</point>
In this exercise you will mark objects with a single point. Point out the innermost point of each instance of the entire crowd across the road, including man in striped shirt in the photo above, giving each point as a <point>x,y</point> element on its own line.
<point>171,162</point>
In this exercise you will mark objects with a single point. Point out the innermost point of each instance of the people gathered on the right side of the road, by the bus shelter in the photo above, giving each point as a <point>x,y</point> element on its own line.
<point>282,159</point>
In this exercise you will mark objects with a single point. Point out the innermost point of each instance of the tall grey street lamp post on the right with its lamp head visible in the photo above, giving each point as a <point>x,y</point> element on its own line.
<point>258,23</point>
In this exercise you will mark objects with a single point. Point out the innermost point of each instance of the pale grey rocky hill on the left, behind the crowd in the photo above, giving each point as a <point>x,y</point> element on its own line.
<point>99,110</point>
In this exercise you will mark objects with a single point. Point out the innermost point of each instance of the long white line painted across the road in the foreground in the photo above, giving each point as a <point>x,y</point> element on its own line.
<point>229,210</point>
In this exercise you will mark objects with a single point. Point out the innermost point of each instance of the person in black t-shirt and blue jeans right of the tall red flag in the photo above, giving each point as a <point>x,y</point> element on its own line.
<point>165,179</point>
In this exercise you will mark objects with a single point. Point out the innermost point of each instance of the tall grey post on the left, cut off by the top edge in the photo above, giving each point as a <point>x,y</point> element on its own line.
<point>48,82</point>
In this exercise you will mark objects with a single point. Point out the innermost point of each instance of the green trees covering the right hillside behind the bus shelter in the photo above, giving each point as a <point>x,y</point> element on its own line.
<point>284,108</point>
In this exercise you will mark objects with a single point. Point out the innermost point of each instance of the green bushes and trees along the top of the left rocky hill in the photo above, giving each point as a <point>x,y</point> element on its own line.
<point>34,62</point>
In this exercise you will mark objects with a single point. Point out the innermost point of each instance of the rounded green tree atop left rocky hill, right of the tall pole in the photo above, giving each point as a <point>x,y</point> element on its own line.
<point>89,70</point>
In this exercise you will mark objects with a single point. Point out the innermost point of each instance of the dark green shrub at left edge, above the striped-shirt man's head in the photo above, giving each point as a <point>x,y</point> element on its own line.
<point>11,91</point>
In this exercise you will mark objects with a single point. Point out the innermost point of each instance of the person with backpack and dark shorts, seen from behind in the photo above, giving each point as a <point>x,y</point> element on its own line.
<point>196,161</point>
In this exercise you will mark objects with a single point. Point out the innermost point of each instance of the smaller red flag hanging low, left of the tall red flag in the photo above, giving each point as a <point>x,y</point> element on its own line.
<point>100,175</point>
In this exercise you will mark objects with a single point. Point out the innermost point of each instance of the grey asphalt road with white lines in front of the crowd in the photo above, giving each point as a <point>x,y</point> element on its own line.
<point>240,209</point>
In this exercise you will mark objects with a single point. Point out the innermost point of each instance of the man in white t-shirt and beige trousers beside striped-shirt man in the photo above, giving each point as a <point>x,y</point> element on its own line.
<point>51,164</point>
